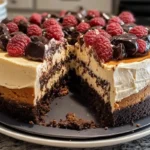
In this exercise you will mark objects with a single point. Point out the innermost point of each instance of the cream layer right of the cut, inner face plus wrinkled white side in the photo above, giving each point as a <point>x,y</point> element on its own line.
<point>125,78</point>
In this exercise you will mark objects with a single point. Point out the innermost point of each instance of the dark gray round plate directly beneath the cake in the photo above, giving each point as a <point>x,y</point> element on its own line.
<point>60,107</point>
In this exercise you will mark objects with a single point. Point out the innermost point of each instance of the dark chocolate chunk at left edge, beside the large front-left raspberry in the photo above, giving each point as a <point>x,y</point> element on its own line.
<point>4,39</point>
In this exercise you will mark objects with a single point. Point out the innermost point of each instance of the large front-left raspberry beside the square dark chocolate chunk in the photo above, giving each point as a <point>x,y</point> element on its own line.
<point>16,46</point>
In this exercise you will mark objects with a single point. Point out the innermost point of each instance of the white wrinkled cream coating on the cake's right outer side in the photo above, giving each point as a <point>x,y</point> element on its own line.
<point>130,78</point>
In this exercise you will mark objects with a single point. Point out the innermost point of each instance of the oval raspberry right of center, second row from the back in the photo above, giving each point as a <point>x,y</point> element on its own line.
<point>98,21</point>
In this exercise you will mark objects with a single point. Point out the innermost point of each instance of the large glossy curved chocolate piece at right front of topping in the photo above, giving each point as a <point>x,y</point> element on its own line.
<point>129,41</point>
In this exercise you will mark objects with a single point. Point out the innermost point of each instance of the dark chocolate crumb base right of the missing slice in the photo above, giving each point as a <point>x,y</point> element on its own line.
<point>104,114</point>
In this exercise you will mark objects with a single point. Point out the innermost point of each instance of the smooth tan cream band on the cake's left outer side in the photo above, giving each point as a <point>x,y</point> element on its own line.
<point>17,72</point>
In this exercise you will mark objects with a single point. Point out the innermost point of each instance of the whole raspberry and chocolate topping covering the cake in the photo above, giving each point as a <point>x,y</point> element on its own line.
<point>114,39</point>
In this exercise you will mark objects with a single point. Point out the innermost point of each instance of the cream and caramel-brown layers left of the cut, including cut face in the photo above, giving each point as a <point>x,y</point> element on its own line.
<point>19,74</point>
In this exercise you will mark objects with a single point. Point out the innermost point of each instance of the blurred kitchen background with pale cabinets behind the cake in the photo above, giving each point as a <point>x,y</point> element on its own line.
<point>140,8</point>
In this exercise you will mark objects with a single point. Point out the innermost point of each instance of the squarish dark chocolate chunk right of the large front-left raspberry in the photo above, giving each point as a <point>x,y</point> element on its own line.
<point>35,49</point>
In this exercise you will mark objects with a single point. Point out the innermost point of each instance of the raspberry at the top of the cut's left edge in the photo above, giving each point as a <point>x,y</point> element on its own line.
<point>54,31</point>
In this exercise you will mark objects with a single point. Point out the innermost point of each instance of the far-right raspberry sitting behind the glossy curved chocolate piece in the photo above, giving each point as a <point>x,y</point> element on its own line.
<point>139,31</point>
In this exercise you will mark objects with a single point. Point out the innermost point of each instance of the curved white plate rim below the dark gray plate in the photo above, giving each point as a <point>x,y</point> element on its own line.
<point>76,143</point>
